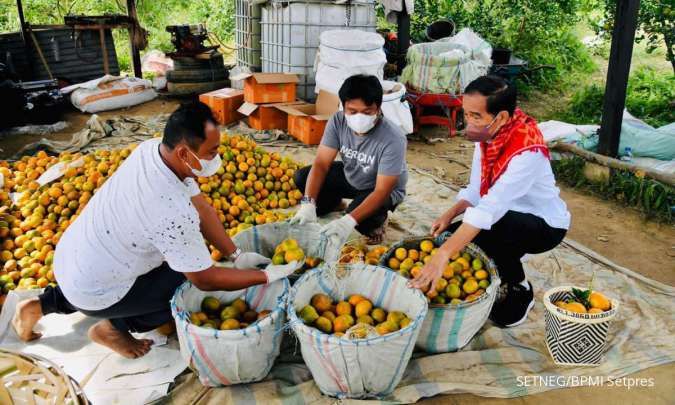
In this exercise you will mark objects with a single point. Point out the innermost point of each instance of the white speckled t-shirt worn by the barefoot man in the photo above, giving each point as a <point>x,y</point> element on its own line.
<point>142,216</point>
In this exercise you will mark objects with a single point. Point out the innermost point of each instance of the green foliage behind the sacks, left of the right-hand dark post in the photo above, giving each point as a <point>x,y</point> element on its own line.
<point>539,31</point>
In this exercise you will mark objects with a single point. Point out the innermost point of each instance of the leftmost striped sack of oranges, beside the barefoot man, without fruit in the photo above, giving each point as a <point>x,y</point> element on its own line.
<point>226,357</point>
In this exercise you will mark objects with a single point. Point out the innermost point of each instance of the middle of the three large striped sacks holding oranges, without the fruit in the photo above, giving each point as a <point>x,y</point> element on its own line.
<point>363,368</point>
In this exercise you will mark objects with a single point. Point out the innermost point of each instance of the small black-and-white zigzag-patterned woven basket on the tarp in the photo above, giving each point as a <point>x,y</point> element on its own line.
<point>575,339</point>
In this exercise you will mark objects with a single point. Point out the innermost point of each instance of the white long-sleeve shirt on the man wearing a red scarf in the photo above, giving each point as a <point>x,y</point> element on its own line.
<point>527,185</point>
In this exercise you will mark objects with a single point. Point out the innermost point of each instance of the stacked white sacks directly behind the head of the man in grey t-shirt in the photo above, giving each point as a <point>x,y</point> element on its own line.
<point>344,53</point>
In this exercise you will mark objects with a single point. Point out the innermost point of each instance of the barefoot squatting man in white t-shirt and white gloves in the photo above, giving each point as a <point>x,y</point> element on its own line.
<point>141,236</point>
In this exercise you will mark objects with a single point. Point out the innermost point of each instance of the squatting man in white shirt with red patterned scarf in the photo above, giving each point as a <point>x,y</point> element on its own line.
<point>511,206</point>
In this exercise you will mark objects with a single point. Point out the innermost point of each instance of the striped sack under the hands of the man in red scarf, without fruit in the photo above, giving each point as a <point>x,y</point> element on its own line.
<point>448,328</point>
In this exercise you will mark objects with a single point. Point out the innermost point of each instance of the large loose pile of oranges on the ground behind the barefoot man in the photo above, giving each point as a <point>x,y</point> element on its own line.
<point>251,183</point>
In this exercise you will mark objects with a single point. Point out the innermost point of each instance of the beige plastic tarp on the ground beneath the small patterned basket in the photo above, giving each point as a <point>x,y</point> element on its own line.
<point>490,364</point>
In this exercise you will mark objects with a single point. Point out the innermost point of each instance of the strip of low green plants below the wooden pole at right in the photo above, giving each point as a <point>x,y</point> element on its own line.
<point>656,200</point>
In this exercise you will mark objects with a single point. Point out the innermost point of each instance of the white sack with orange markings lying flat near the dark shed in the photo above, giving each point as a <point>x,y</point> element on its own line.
<point>109,93</point>
